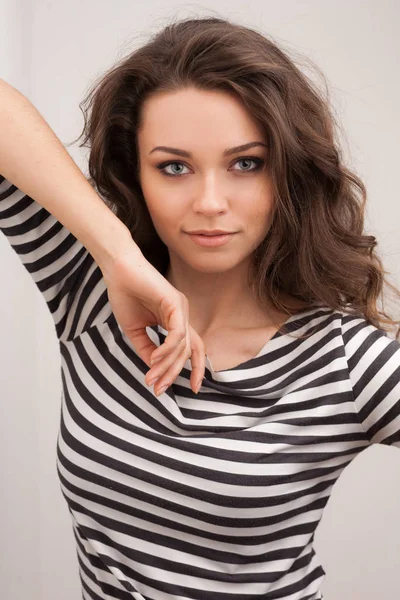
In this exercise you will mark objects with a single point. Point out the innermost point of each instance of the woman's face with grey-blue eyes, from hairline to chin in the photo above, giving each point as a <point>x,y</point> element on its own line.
<point>204,186</point>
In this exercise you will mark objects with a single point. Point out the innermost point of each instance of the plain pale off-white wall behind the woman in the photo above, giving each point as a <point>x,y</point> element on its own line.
<point>51,52</point>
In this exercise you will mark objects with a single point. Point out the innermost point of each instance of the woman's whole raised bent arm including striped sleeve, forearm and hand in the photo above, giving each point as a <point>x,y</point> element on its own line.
<point>35,161</point>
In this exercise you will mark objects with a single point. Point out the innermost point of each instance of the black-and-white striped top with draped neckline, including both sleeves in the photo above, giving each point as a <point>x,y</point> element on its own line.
<point>213,496</point>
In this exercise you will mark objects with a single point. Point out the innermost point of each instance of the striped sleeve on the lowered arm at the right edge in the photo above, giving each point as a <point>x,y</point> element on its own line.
<point>374,368</point>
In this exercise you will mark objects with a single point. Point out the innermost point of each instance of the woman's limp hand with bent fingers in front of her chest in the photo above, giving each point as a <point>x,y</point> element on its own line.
<point>141,297</point>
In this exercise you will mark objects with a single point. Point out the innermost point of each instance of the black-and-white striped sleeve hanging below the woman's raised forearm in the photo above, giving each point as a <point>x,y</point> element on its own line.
<point>62,269</point>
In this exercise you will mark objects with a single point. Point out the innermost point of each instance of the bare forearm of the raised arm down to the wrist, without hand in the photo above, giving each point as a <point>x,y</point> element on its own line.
<point>35,161</point>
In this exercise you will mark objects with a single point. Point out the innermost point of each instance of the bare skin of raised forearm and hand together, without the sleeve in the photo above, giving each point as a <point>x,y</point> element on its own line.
<point>35,161</point>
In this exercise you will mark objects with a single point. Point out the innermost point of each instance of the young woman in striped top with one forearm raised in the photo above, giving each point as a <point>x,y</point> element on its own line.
<point>209,127</point>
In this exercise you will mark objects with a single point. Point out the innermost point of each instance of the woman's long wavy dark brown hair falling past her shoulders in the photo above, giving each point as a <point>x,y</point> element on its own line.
<point>316,249</point>
